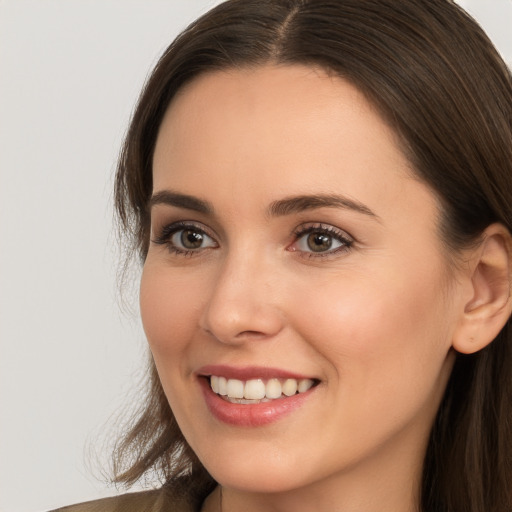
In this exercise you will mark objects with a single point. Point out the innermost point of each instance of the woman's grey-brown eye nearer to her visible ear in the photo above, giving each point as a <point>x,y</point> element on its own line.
<point>321,240</point>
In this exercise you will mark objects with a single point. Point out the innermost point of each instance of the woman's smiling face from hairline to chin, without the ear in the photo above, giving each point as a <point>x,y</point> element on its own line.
<point>291,246</point>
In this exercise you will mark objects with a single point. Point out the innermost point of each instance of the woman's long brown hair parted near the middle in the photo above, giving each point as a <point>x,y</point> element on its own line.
<point>437,79</point>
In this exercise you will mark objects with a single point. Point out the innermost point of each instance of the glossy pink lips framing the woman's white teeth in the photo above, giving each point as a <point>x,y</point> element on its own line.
<point>249,415</point>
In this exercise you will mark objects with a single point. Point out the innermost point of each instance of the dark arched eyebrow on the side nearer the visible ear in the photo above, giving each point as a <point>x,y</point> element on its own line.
<point>302,203</point>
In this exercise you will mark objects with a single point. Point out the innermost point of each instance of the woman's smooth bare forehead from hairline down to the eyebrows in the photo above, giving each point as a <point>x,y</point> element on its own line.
<point>244,138</point>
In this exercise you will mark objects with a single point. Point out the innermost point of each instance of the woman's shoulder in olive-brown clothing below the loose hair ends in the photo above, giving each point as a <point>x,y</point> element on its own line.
<point>147,501</point>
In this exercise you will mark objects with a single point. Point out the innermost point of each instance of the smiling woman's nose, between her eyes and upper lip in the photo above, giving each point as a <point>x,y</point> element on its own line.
<point>243,302</point>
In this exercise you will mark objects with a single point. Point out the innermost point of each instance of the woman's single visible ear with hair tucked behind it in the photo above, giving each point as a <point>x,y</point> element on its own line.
<point>489,304</point>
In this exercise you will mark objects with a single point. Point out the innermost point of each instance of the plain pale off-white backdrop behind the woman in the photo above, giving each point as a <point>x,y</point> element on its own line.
<point>70,73</point>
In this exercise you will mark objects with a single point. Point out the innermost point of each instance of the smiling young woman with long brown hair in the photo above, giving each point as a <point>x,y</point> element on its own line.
<point>320,194</point>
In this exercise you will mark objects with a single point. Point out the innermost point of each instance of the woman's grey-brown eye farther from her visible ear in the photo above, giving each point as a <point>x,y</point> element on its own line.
<point>183,238</point>
